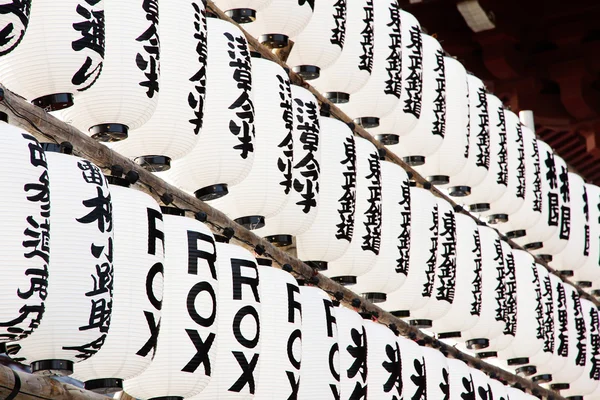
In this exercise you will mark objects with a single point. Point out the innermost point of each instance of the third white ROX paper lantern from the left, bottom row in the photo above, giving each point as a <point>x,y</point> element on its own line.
<point>238,341</point>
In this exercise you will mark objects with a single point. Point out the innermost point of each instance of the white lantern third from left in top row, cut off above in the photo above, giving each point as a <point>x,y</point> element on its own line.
<point>321,41</point>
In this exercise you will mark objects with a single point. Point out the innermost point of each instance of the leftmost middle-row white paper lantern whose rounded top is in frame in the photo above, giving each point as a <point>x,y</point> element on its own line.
<point>224,152</point>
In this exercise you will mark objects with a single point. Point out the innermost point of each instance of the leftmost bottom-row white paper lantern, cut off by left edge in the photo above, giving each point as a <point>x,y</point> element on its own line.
<point>24,248</point>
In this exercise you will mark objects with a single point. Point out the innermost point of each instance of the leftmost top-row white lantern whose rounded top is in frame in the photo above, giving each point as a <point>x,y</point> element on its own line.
<point>408,110</point>
